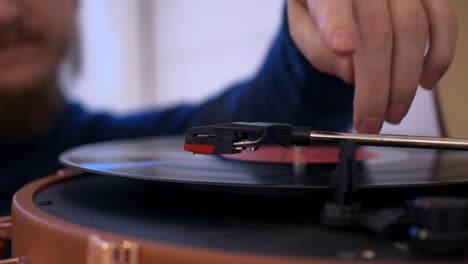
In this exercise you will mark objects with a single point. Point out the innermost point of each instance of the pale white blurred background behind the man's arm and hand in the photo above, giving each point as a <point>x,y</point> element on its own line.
<point>143,54</point>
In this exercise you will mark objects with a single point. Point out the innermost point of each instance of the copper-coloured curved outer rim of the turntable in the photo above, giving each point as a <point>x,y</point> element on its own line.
<point>43,238</point>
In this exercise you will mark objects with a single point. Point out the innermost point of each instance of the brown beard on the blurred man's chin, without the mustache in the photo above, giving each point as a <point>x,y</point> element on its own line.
<point>30,113</point>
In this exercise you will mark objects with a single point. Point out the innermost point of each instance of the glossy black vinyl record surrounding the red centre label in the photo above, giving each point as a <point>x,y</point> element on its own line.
<point>163,159</point>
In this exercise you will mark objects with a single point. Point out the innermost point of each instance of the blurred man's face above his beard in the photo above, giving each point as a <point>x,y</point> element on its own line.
<point>33,37</point>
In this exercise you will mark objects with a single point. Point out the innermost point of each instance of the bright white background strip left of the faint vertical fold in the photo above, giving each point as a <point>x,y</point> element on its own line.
<point>112,66</point>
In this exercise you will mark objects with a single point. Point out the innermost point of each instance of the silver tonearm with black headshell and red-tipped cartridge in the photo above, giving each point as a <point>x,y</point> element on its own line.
<point>232,138</point>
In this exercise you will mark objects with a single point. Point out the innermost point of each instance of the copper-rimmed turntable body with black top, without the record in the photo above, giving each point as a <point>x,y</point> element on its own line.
<point>71,218</point>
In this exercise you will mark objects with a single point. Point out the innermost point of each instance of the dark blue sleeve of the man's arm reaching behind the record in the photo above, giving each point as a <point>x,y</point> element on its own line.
<point>286,89</point>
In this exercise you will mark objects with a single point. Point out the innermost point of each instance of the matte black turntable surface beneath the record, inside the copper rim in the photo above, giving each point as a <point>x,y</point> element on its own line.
<point>285,225</point>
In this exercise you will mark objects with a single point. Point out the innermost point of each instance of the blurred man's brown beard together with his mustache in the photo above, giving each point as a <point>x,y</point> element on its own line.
<point>29,112</point>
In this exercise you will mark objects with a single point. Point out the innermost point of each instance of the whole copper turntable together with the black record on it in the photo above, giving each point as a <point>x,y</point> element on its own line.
<point>145,201</point>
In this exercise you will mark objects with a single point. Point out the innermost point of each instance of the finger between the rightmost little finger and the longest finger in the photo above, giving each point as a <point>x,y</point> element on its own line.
<point>410,33</point>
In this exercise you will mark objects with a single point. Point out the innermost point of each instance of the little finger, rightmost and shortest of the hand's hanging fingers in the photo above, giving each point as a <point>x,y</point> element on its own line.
<point>443,39</point>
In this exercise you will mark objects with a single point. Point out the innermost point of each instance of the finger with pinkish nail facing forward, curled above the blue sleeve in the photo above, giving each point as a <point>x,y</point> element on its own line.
<point>336,23</point>
